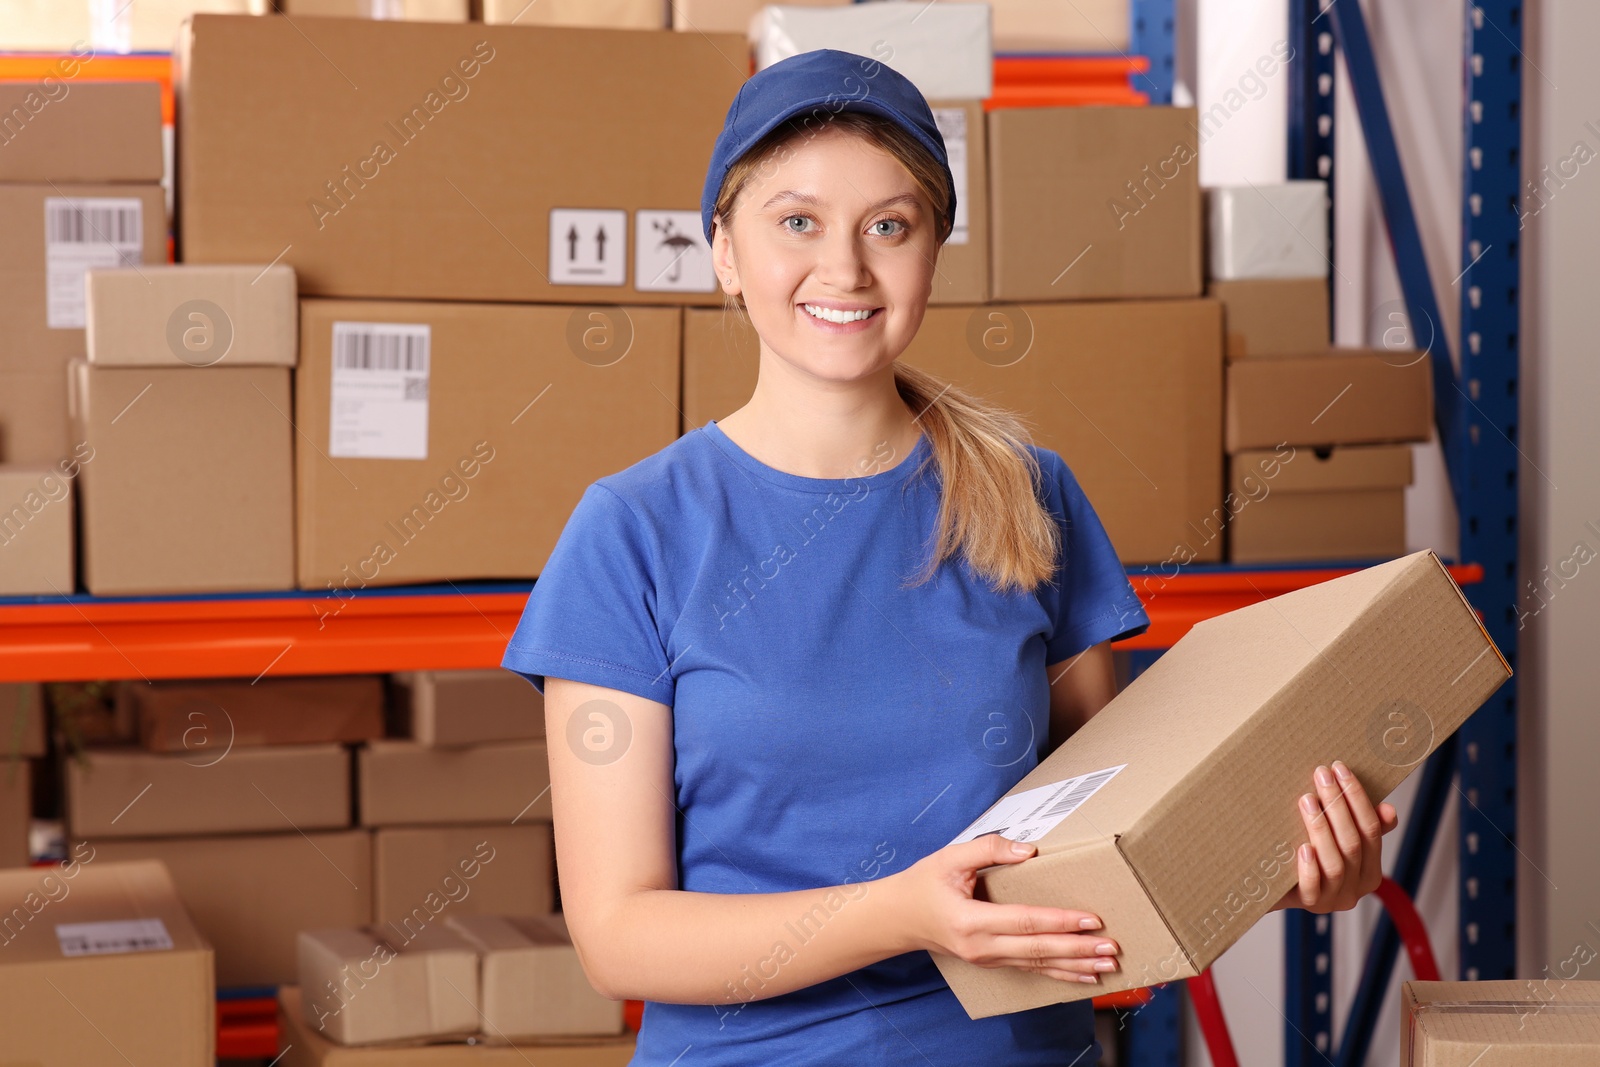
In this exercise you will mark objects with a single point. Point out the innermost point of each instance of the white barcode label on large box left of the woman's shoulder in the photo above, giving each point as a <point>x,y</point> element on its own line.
<point>378,406</point>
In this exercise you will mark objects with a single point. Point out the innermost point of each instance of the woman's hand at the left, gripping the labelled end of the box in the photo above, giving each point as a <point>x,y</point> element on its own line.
<point>942,916</point>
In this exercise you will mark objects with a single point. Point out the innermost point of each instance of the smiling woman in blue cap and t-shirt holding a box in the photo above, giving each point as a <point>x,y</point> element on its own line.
<point>796,653</point>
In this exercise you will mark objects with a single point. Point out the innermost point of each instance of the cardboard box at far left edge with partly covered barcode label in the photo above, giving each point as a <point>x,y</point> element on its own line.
<point>54,234</point>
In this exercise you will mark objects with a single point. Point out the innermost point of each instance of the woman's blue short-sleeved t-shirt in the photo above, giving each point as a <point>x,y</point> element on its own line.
<point>830,725</point>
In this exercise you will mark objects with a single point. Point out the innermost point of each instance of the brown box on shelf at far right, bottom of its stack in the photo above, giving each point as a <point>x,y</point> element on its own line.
<point>1302,505</point>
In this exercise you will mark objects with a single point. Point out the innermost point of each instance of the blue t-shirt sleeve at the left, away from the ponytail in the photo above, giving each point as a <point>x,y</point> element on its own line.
<point>593,610</point>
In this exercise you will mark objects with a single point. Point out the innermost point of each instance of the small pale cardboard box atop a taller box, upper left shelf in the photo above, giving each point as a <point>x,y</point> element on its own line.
<point>188,316</point>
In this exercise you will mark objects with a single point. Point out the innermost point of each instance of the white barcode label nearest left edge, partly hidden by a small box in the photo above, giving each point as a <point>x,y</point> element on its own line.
<point>84,233</point>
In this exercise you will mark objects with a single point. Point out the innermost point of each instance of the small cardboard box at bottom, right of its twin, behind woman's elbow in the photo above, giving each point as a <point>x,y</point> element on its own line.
<point>532,980</point>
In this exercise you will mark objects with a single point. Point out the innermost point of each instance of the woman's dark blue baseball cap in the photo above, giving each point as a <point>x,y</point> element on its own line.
<point>820,84</point>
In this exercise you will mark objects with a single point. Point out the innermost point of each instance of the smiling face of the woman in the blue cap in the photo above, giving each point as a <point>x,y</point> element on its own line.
<point>833,247</point>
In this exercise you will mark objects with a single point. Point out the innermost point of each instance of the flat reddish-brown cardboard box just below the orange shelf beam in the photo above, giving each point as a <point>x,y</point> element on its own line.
<point>201,716</point>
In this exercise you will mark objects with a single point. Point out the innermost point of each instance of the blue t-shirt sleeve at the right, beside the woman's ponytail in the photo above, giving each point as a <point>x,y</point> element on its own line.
<point>1092,599</point>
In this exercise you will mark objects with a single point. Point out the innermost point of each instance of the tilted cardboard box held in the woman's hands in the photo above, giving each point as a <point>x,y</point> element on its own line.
<point>1174,815</point>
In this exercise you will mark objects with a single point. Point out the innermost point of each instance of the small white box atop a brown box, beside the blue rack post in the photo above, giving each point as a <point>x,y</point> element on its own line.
<point>1274,231</point>
